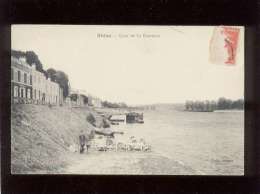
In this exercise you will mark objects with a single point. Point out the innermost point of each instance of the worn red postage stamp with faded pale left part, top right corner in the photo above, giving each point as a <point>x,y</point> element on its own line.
<point>224,44</point>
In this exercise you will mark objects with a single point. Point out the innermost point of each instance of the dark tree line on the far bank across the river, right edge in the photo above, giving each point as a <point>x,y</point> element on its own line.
<point>221,104</point>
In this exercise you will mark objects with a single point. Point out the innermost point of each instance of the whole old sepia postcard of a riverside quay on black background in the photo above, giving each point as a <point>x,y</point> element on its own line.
<point>127,100</point>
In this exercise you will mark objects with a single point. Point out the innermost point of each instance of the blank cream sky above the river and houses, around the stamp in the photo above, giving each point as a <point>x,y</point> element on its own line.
<point>170,64</point>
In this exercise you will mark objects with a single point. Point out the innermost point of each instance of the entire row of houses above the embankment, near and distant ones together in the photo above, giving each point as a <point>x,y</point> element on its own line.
<point>31,86</point>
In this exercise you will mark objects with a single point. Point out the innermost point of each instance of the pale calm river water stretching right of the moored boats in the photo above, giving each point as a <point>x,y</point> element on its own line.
<point>208,143</point>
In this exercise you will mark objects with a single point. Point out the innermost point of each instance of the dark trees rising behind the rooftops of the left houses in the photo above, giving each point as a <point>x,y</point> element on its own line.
<point>56,76</point>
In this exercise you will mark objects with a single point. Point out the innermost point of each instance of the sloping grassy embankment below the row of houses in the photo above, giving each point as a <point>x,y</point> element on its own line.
<point>41,136</point>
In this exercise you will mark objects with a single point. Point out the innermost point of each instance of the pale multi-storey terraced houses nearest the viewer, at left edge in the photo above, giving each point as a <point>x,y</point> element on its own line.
<point>31,86</point>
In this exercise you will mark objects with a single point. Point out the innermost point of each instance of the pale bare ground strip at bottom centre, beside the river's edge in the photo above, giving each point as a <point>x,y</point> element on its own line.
<point>125,163</point>
